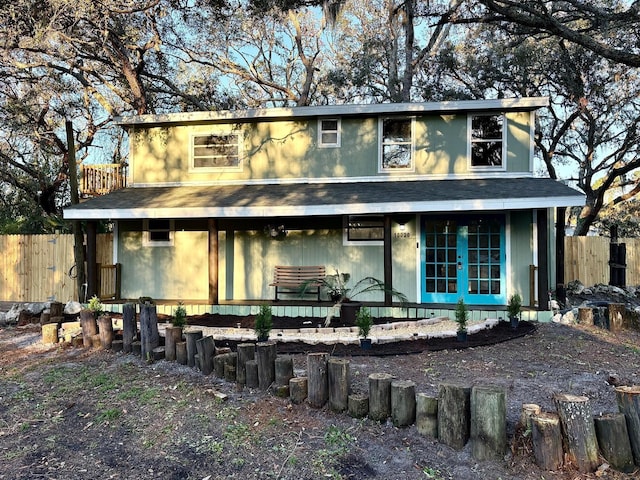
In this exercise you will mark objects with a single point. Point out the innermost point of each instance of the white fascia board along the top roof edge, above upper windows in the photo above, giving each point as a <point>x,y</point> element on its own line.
<point>525,103</point>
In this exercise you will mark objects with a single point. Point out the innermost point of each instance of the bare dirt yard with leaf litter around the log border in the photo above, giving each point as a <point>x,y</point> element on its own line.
<point>70,413</point>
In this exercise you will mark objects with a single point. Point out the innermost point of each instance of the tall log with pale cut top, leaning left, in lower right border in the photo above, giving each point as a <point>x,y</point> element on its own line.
<point>579,431</point>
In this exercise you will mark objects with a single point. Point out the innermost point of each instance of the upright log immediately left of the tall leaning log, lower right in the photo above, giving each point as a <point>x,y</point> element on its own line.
<point>546,437</point>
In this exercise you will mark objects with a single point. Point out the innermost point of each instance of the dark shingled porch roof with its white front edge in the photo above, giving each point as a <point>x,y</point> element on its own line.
<point>315,199</point>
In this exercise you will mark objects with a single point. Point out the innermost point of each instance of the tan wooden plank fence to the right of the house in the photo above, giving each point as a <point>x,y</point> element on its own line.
<point>587,259</point>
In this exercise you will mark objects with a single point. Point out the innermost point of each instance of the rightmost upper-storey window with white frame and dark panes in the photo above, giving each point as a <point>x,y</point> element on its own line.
<point>487,141</point>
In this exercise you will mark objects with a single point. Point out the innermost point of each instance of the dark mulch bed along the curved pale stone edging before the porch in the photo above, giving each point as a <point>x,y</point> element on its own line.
<point>502,332</point>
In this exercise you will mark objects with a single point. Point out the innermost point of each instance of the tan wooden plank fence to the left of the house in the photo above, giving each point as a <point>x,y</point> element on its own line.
<point>35,268</point>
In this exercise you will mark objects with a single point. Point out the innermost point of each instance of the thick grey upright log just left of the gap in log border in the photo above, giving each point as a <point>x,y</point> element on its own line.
<point>488,423</point>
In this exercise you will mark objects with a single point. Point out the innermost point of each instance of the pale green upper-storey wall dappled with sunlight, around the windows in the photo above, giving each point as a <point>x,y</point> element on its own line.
<point>287,150</point>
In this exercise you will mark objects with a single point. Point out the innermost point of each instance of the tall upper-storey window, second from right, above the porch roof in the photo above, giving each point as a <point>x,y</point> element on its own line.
<point>396,144</point>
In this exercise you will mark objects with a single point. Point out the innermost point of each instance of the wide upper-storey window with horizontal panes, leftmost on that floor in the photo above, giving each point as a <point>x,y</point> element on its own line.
<point>216,151</point>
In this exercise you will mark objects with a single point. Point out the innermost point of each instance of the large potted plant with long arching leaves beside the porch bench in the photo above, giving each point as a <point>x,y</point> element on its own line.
<point>337,286</point>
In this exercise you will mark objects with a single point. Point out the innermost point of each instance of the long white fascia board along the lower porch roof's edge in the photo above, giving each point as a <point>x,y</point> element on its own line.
<point>315,210</point>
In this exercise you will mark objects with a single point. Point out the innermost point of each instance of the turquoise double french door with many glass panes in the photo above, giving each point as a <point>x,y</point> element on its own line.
<point>463,257</point>
